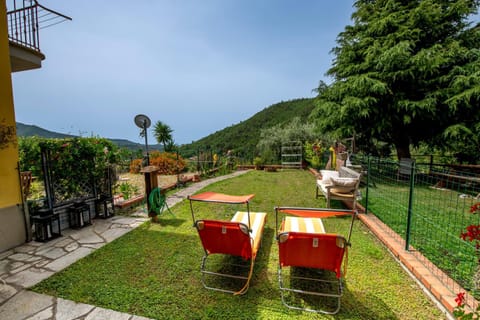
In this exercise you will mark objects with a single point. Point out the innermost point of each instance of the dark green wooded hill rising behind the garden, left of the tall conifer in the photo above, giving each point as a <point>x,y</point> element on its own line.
<point>243,137</point>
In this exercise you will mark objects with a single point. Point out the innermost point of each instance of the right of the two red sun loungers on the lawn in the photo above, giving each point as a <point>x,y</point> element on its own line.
<point>312,257</point>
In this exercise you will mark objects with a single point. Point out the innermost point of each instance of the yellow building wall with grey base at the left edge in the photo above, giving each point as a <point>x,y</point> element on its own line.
<point>12,221</point>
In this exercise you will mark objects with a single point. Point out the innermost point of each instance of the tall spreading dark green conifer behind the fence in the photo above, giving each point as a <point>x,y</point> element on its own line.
<point>406,71</point>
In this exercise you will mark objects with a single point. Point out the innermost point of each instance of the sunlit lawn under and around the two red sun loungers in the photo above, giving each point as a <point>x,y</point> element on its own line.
<point>153,271</point>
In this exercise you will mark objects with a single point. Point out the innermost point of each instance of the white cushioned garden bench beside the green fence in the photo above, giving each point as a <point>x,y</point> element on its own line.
<point>338,185</point>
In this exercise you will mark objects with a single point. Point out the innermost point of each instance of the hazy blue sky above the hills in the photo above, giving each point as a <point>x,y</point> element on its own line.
<point>197,65</point>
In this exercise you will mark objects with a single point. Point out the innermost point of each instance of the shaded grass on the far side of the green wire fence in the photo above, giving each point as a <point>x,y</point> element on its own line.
<point>438,218</point>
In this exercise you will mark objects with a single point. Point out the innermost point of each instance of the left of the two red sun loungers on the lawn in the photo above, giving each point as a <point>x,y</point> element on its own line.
<point>239,237</point>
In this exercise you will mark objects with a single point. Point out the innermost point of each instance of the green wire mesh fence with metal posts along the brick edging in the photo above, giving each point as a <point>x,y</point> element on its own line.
<point>429,206</point>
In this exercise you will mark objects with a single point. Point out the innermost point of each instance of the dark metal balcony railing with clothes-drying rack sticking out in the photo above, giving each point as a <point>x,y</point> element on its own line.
<point>24,23</point>
